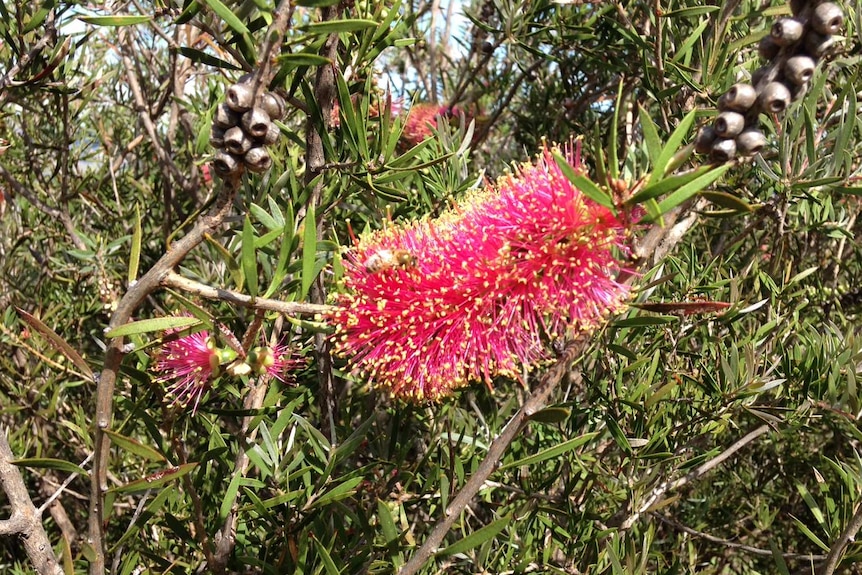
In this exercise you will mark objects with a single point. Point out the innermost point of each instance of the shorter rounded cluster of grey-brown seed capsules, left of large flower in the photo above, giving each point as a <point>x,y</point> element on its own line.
<point>242,128</point>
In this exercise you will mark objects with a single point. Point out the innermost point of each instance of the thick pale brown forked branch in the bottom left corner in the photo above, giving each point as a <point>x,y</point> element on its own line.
<point>24,521</point>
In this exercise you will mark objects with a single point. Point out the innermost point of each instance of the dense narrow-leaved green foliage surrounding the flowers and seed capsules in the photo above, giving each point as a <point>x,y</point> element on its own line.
<point>108,123</point>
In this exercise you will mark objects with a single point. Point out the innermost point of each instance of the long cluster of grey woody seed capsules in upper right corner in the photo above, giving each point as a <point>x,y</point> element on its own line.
<point>792,49</point>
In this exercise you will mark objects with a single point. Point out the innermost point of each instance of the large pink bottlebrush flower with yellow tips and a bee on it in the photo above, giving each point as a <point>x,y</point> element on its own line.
<point>430,306</point>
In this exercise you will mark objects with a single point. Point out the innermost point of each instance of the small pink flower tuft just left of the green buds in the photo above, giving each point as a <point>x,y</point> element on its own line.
<point>187,364</point>
